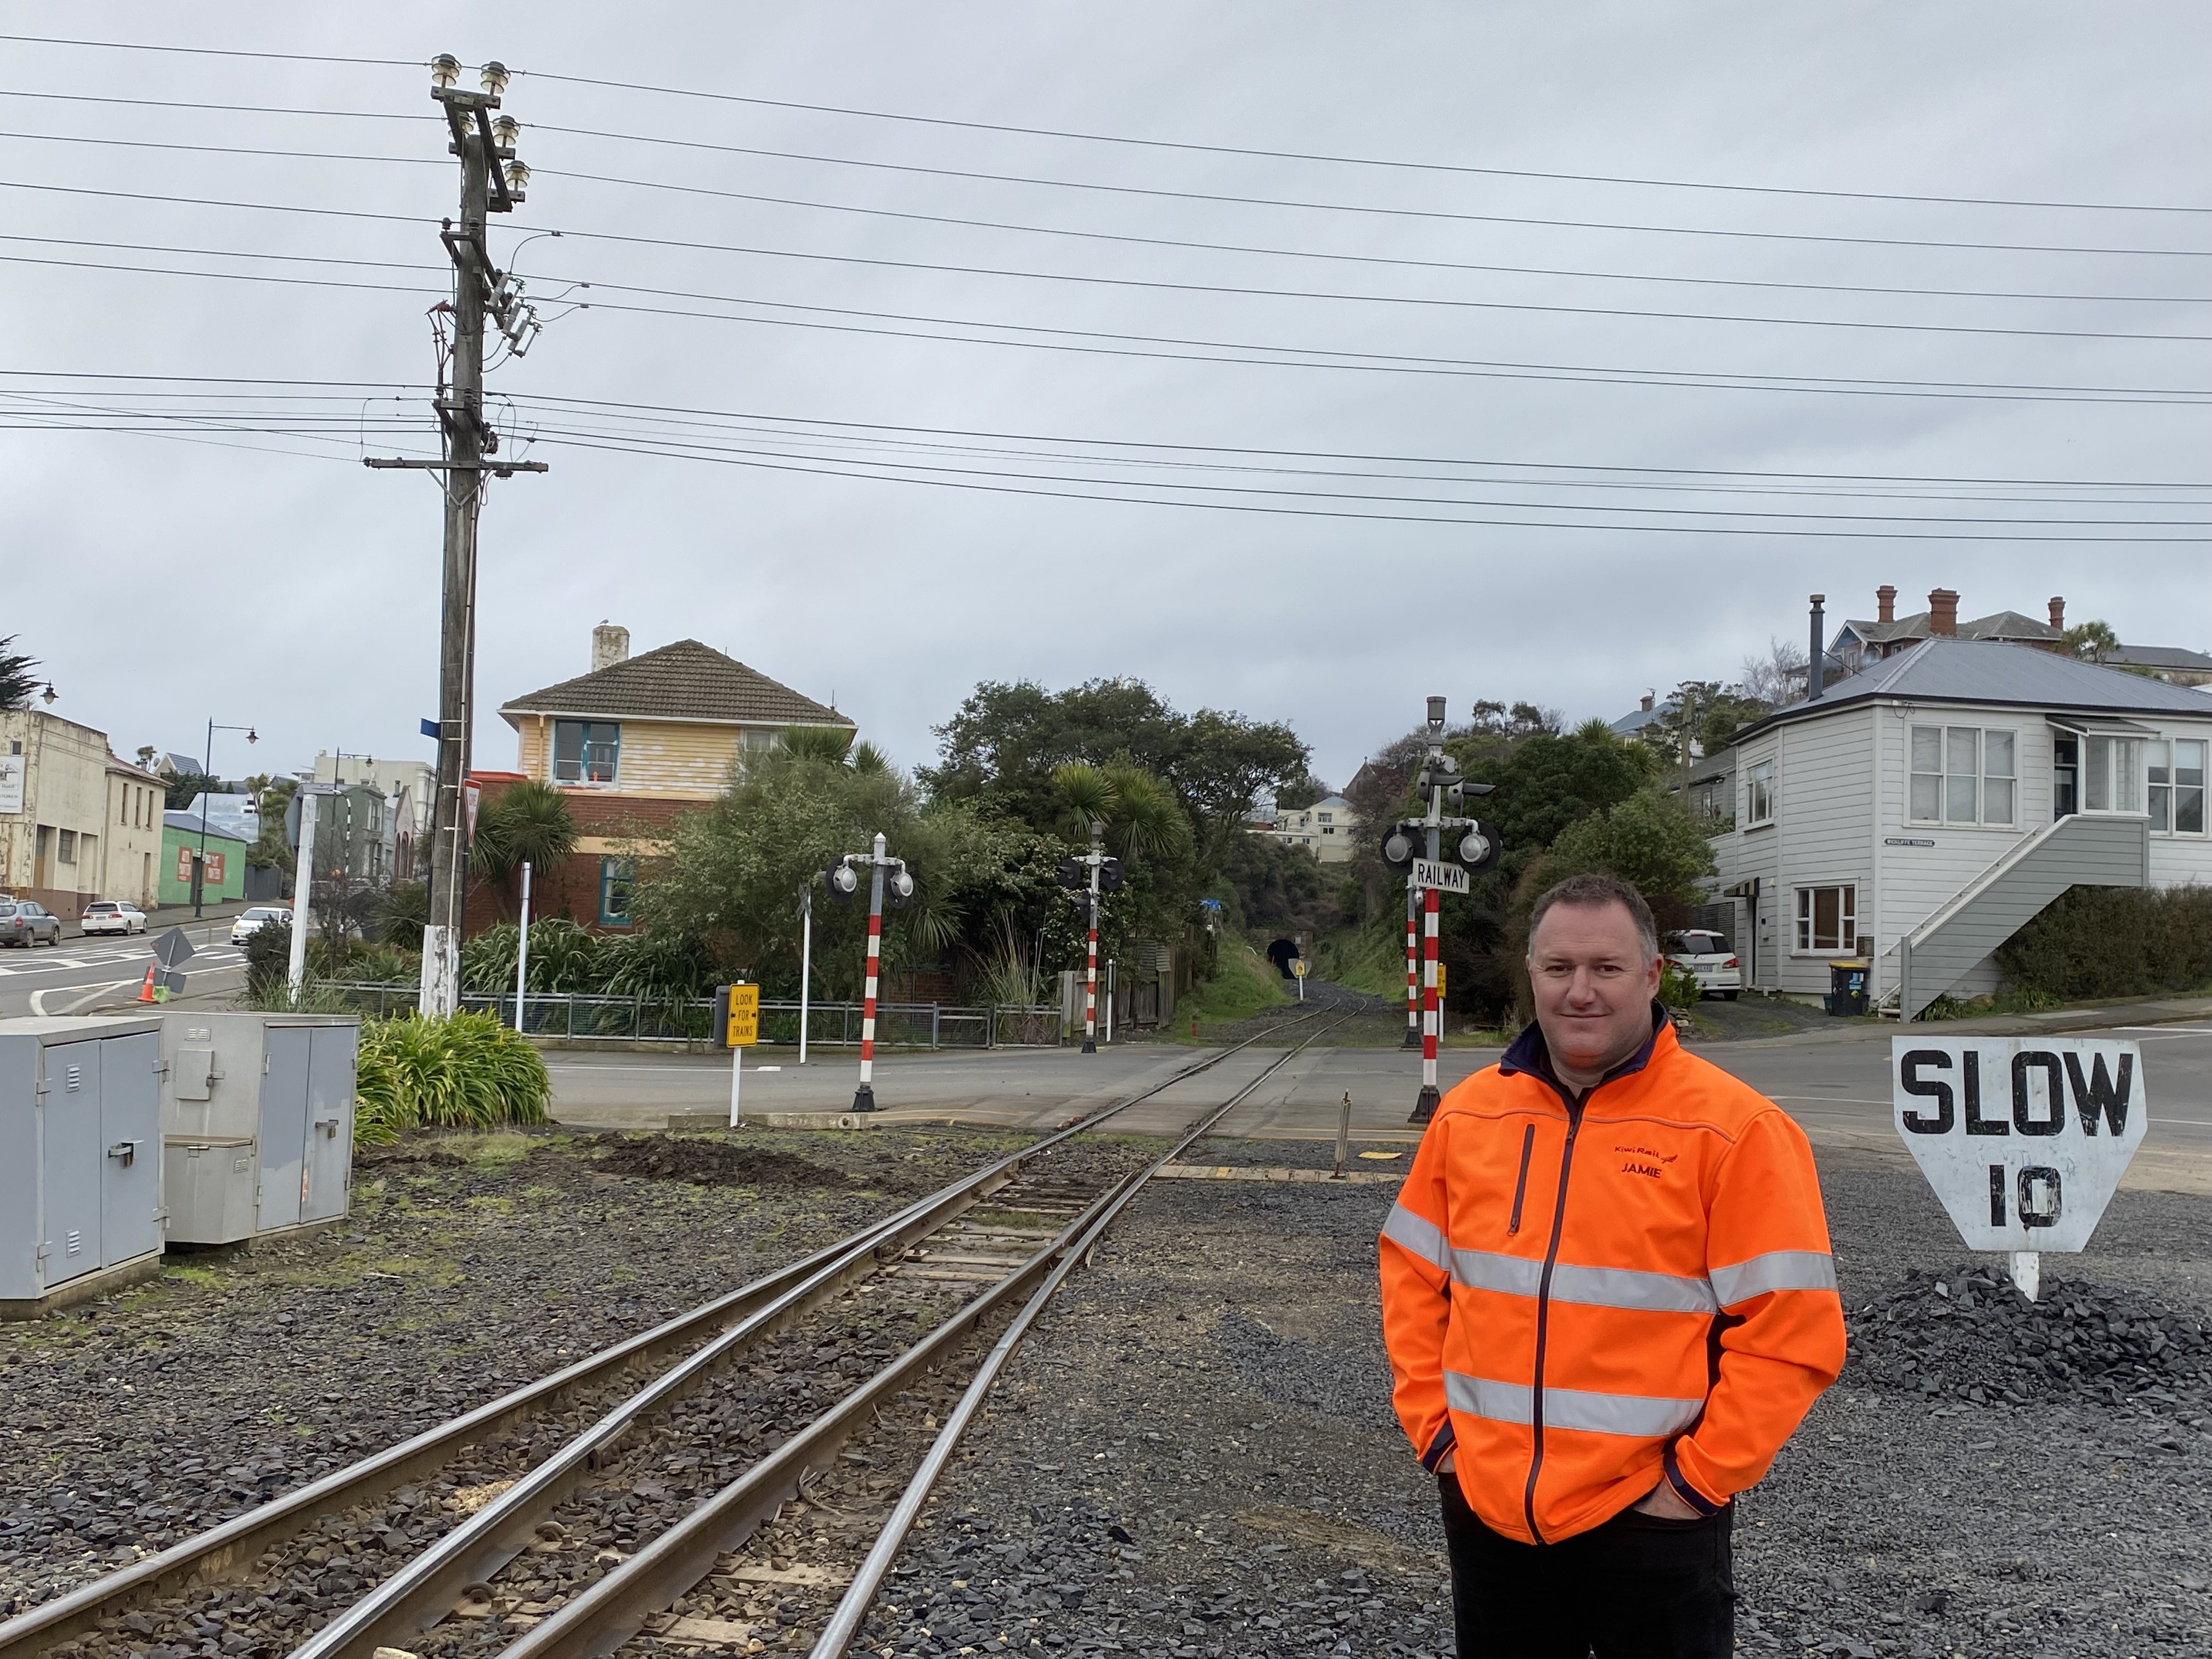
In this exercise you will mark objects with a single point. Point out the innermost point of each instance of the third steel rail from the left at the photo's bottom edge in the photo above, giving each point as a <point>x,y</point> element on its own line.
<point>598,1620</point>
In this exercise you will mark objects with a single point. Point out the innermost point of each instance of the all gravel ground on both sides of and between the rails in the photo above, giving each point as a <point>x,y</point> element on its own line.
<point>1193,1454</point>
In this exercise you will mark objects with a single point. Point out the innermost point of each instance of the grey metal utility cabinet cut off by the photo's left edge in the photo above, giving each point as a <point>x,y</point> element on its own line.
<point>81,1158</point>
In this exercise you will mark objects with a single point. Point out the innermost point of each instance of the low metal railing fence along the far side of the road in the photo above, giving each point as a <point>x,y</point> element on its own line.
<point>831,1025</point>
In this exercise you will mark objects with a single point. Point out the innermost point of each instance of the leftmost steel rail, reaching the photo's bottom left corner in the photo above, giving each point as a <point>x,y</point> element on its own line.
<point>231,1547</point>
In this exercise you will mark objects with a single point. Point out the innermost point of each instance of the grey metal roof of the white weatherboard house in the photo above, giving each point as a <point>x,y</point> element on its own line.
<point>1983,671</point>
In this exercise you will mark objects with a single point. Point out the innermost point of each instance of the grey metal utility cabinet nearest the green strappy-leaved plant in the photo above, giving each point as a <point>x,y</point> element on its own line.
<point>258,1123</point>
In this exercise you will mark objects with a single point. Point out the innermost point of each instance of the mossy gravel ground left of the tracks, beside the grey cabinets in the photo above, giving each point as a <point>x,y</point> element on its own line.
<point>468,1266</point>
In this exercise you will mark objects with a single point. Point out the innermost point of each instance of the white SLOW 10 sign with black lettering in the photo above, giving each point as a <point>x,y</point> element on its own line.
<point>2023,1138</point>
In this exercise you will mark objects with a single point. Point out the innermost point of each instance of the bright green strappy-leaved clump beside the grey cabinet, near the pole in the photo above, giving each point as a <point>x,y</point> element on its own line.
<point>468,1072</point>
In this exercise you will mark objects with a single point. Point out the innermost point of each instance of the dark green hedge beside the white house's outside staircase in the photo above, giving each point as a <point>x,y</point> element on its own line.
<point>2114,943</point>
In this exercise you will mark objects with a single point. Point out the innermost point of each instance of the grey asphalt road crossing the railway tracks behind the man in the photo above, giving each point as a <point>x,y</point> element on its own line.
<point>1837,1085</point>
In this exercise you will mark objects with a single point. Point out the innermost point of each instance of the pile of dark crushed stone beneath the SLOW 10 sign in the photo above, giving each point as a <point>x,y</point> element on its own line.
<point>1968,1335</point>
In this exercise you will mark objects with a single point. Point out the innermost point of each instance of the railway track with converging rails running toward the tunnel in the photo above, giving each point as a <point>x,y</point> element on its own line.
<point>576,1512</point>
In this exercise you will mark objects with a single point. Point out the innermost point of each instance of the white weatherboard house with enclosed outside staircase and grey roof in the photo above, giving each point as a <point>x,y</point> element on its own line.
<point>1930,806</point>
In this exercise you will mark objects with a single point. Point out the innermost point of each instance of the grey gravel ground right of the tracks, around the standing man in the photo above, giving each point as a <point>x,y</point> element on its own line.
<point>1198,1457</point>
